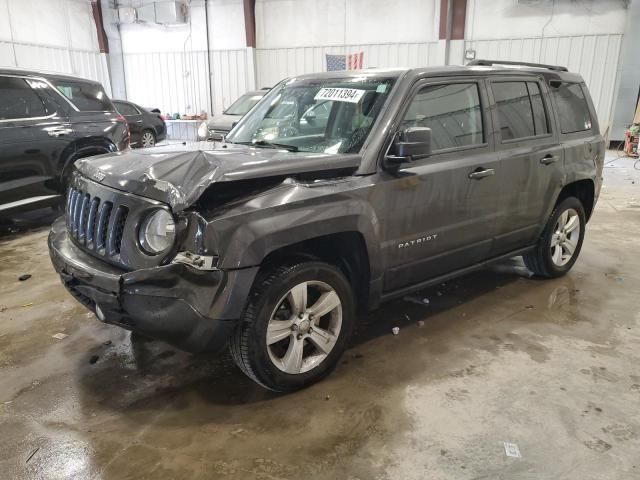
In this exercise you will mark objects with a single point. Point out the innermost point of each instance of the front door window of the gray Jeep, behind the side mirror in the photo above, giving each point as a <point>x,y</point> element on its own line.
<point>452,112</point>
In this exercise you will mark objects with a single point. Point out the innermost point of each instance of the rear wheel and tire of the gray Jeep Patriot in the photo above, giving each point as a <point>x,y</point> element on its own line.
<point>545,261</point>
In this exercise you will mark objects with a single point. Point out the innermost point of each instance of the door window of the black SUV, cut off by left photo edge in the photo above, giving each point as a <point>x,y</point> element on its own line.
<point>19,100</point>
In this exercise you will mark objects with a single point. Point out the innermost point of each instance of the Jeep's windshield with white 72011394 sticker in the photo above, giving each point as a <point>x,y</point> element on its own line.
<point>320,115</point>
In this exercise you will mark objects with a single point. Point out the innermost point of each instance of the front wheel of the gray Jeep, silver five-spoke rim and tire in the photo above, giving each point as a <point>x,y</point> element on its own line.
<point>273,299</point>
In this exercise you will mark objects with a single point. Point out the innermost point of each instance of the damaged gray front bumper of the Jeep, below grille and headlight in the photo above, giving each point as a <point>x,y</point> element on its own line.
<point>195,310</point>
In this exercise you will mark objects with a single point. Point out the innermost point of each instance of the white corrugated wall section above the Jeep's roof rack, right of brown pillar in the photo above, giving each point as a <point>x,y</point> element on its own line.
<point>595,57</point>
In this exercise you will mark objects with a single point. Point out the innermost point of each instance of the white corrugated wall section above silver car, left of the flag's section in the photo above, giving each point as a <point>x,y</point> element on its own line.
<point>178,82</point>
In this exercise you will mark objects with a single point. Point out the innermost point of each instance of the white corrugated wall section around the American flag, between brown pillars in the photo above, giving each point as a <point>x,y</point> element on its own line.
<point>274,64</point>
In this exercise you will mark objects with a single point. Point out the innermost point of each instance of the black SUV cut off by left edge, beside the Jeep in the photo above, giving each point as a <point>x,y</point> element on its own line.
<point>47,122</point>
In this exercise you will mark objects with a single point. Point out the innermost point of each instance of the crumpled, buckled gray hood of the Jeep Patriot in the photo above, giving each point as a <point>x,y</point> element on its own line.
<point>179,177</point>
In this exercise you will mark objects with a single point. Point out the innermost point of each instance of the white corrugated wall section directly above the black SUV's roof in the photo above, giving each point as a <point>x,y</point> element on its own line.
<point>81,63</point>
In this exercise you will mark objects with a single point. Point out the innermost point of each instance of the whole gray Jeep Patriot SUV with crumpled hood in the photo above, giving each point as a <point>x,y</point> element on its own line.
<point>271,241</point>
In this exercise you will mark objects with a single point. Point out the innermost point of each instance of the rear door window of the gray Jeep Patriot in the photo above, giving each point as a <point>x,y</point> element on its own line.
<point>521,111</point>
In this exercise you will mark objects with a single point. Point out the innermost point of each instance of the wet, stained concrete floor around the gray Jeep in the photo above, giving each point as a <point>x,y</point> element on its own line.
<point>553,366</point>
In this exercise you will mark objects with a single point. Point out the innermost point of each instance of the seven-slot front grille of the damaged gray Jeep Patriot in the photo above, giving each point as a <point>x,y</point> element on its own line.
<point>95,224</point>
